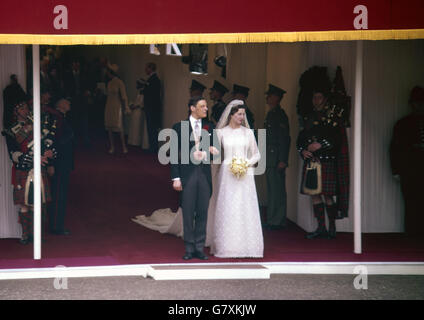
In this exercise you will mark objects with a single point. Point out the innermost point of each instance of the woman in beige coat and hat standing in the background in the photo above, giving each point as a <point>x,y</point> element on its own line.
<point>116,101</point>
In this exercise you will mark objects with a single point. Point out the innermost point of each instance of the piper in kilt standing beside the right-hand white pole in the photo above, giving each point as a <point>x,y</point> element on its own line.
<point>324,141</point>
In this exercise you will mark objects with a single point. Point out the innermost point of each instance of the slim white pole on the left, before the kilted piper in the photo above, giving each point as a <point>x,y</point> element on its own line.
<point>37,152</point>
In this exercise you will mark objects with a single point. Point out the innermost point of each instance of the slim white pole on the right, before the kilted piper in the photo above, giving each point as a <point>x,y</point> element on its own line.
<point>357,150</point>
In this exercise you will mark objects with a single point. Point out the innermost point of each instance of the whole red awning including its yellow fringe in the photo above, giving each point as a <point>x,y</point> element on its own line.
<point>142,21</point>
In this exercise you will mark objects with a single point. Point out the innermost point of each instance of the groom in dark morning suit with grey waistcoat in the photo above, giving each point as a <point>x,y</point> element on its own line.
<point>192,175</point>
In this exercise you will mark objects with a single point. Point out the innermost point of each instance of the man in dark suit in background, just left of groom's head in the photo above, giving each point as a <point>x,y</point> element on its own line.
<point>152,105</point>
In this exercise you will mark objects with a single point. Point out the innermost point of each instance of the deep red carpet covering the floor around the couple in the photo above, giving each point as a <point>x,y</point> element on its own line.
<point>106,191</point>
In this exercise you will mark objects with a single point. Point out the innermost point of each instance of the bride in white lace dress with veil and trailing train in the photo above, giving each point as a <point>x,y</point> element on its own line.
<point>234,226</point>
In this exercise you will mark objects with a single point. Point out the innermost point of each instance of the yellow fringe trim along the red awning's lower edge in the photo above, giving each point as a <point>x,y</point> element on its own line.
<point>100,39</point>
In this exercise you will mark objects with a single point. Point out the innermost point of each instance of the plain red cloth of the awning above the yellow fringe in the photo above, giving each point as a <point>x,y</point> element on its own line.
<point>199,17</point>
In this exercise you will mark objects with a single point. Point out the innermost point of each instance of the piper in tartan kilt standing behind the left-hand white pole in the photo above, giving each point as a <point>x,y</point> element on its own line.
<point>19,139</point>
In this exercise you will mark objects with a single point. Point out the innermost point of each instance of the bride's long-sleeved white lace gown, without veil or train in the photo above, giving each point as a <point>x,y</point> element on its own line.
<point>236,231</point>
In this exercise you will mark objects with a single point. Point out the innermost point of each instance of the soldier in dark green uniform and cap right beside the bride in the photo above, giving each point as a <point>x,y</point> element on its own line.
<point>277,154</point>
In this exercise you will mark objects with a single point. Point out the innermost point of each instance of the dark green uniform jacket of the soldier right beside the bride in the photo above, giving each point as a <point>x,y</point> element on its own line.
<point>277,137</point>
